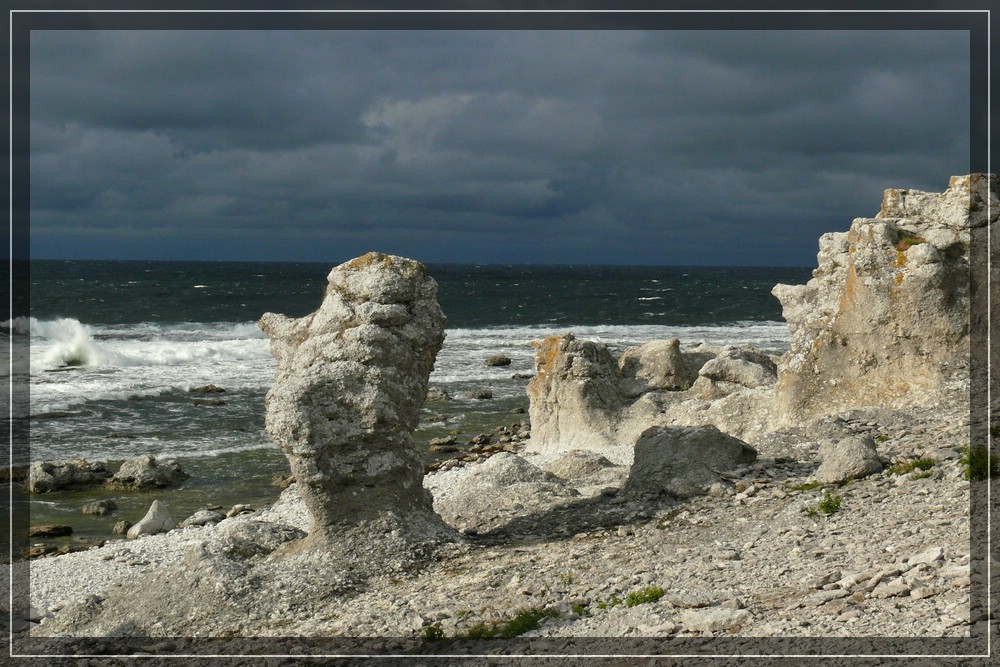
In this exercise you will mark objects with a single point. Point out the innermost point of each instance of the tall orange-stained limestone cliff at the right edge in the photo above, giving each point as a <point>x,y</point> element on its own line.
<point>885,319</point>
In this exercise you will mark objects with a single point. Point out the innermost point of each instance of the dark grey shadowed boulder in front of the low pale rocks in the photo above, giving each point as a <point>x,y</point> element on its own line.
<point>683,461</point>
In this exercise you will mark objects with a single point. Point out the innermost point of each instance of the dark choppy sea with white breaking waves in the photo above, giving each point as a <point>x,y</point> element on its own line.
<point>116,347</point>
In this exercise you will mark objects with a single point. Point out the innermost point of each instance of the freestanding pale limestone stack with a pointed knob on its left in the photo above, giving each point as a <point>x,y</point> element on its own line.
<point>350,381</point>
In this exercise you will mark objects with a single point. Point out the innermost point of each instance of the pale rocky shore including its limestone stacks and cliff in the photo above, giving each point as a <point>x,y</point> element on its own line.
<point>833,493</point>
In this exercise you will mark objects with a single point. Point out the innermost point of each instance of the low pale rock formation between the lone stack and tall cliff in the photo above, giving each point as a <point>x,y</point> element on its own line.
<point>583,398</point>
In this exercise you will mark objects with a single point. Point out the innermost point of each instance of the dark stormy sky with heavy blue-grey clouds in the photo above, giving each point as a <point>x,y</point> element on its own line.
<point>558,147</point>
